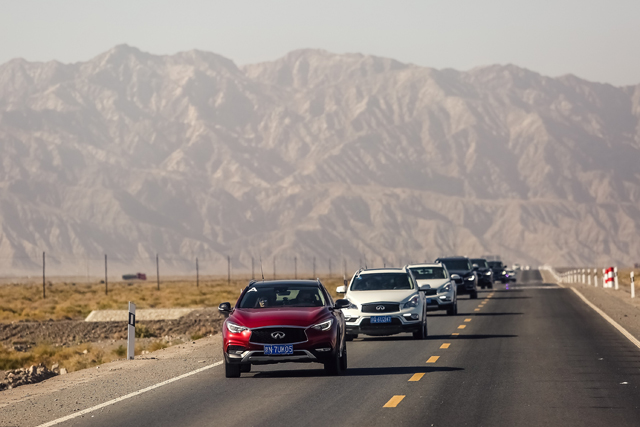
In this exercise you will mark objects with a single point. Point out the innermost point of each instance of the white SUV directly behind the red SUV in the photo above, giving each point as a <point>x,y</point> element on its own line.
<point>384,301</point>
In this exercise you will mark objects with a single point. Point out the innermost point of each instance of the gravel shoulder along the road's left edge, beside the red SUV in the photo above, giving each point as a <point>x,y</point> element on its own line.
<point>35,404</point>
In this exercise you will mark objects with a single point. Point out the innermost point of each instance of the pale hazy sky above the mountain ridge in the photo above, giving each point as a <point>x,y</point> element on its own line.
<point>595,39</point>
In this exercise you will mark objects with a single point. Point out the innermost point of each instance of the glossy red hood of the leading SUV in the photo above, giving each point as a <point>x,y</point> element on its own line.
<point>281,316</point>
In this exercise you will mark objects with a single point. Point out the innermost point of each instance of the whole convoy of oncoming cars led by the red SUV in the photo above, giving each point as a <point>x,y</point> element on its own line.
<point>278,321</point>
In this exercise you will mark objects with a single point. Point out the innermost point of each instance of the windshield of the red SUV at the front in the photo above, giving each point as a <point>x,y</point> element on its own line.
<point>282,296</point>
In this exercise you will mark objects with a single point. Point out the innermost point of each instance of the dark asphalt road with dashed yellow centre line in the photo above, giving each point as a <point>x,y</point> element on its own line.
<point>533,354</point>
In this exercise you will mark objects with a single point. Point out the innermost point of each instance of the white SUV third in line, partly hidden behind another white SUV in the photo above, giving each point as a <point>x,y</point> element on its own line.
<point>439,287</point>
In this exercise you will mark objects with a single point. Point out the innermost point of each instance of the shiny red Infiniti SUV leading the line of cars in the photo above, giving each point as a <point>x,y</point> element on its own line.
<point>284,321</point>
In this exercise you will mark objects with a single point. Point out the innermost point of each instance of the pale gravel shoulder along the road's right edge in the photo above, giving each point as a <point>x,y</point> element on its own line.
<point>617,304</point>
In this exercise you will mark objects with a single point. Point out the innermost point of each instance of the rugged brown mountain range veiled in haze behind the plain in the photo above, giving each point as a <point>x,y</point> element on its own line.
<point>312,155</point>
